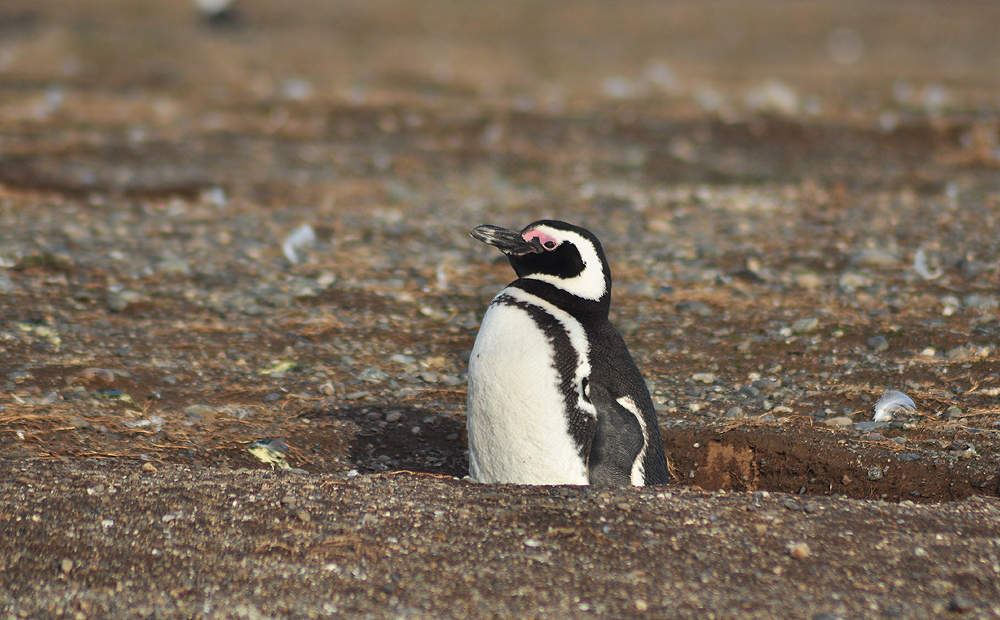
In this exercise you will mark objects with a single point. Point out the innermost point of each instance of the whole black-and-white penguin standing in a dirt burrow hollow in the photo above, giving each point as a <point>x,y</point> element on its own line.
<point>554,396</point>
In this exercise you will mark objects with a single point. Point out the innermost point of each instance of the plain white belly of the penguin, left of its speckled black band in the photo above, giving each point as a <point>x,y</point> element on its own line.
<point>518,431</point>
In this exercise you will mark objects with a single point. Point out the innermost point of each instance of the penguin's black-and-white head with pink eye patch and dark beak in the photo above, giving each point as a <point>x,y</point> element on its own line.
<point>566,256</point>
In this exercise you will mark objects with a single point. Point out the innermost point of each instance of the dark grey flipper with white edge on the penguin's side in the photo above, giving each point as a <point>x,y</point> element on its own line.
<point>617,442</point>
